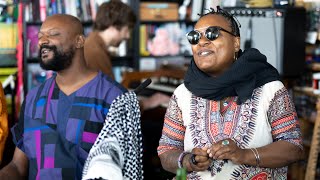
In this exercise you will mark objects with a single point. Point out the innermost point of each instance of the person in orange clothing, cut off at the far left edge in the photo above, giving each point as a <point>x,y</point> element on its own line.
<point>3,122</point>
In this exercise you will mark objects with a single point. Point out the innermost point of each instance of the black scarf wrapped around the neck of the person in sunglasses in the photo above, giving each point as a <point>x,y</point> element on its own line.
<point>249,71</point>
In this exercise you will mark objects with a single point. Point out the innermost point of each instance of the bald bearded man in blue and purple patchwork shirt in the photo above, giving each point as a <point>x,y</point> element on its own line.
<point>61,118</point>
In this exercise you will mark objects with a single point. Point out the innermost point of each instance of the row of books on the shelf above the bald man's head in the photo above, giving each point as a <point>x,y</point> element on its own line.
<point>38,10</point>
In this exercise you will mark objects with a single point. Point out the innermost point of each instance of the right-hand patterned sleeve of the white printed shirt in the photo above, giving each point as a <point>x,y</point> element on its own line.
<point>283,119</point>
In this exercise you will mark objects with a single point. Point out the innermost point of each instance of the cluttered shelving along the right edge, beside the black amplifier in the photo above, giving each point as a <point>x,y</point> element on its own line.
<point>307,100</point>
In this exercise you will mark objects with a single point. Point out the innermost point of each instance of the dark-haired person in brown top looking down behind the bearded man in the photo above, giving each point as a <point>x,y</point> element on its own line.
<point>113,24</point>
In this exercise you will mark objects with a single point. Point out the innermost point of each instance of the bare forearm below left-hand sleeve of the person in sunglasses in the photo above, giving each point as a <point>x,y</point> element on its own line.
<point>169,160</point>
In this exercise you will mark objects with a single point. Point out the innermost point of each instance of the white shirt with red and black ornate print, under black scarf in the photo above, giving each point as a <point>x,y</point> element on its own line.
<point>268,116</point>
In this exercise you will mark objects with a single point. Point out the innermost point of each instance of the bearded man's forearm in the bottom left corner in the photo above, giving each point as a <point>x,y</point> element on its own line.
<point>11,172</point>
